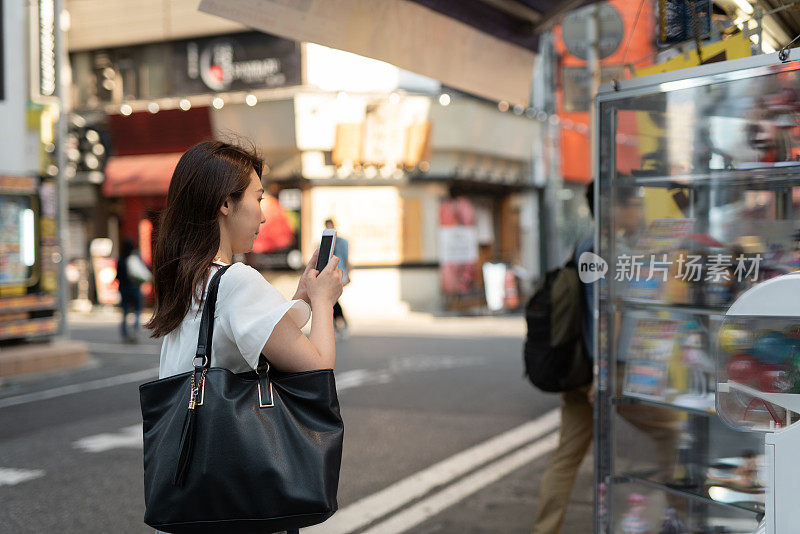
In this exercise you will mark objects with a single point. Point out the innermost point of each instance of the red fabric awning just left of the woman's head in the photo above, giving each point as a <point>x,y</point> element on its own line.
<point>144,175</point>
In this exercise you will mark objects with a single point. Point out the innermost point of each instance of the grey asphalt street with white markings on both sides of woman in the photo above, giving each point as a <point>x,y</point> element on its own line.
<point>443,435</point>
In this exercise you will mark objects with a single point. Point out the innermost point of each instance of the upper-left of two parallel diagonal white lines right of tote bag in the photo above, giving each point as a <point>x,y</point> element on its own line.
<point>382,503</point>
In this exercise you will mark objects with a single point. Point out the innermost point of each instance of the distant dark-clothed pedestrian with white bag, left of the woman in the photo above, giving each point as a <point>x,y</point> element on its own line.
<point>131,274</point>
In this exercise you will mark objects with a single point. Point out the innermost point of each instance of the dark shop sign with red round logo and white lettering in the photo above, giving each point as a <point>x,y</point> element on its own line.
<point>235,63</point>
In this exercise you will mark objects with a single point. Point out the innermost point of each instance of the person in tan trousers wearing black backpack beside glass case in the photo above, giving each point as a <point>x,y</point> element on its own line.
<point>572,344</point>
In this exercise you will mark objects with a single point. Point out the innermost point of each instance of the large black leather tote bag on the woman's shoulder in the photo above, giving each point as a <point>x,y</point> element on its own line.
<point>235,453</point>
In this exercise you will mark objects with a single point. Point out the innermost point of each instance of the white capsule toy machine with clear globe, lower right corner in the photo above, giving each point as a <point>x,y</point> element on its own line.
<point>758,390</point>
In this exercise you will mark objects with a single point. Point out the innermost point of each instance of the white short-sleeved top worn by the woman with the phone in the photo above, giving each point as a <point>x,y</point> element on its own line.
<point>248,308</point>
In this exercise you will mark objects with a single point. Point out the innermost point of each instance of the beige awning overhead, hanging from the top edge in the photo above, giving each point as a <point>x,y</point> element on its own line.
<point>481,47</point>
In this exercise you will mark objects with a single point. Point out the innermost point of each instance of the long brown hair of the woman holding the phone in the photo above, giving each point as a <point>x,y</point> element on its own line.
<point>188,237</point>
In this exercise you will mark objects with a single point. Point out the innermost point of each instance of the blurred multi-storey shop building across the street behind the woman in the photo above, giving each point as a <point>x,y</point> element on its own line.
<point>427,184</point>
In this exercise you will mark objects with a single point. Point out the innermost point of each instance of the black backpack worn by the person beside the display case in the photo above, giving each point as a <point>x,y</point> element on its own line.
<point>554,354</point>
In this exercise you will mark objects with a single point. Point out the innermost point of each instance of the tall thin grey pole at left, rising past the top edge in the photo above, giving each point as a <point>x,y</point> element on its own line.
<point>62,92</point>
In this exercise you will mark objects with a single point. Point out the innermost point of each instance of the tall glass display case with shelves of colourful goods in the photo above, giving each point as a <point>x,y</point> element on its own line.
<point>699,200</point>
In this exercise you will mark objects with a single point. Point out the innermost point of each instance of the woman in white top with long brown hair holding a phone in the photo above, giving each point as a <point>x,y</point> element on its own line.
<point>213,213</point>
